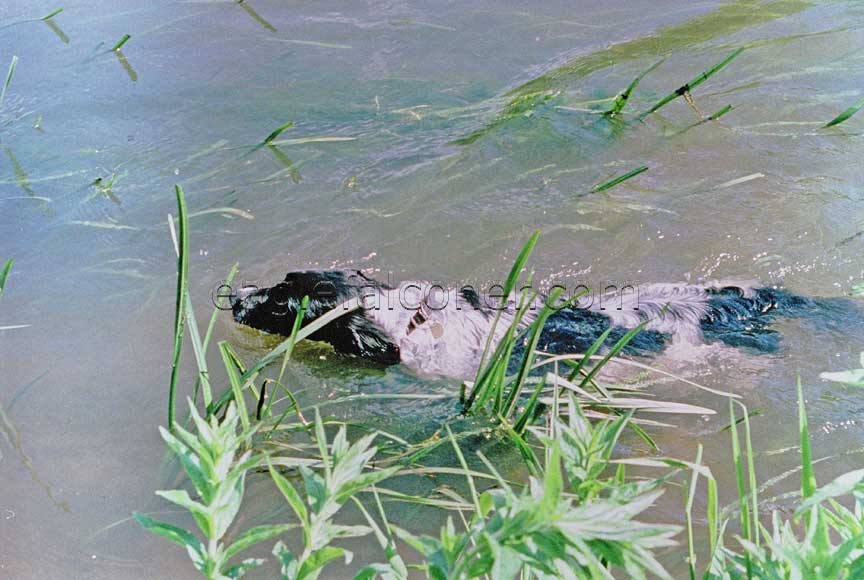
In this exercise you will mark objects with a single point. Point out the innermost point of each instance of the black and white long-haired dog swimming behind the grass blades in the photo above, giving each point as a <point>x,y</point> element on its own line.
<point>444,331</point>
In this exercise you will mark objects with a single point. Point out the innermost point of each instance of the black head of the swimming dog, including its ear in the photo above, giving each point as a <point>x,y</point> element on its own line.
<point>275,309</point>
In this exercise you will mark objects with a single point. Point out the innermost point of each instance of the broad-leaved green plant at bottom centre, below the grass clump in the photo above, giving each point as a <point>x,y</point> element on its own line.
<point>544,530</point>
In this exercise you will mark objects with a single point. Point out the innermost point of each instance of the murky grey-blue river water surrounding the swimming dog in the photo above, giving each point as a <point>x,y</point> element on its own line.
<point>386,87</point>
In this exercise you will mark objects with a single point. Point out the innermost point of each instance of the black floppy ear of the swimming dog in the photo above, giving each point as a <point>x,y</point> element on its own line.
<point>356,335</point>
